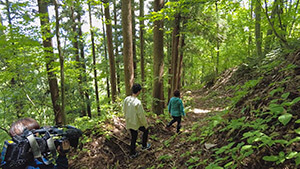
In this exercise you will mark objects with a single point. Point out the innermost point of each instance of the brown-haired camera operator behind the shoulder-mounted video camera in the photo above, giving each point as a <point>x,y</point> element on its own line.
<point>18,127</point>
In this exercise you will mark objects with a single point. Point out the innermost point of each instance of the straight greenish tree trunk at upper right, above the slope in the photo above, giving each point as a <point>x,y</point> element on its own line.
<point>257,28</point>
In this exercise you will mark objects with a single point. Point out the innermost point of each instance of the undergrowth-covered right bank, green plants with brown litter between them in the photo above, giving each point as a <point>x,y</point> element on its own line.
<point>260,127</point>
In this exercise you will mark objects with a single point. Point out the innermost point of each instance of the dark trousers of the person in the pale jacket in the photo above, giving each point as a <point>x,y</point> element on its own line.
<point>134,134</point>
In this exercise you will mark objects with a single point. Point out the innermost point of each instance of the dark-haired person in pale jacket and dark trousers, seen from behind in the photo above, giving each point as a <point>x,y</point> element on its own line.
<point>135,120</point>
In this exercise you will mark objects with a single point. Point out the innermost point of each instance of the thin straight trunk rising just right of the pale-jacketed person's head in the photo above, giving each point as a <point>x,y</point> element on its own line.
<point>142,44</point>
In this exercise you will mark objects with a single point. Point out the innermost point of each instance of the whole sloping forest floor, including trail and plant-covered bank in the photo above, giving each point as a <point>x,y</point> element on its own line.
<point>247,119</point>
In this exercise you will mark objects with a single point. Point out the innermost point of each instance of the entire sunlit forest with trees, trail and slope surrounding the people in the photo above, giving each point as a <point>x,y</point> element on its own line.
<point>236,62</point>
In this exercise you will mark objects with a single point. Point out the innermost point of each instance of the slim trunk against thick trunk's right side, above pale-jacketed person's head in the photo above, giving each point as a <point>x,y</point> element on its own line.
<point>133,38</point>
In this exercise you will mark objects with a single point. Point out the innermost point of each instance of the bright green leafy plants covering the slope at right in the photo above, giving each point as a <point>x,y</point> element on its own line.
<point>256,132</point>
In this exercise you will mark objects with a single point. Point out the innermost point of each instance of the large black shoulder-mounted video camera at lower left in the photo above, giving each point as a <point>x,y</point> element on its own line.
<point>38,144</point>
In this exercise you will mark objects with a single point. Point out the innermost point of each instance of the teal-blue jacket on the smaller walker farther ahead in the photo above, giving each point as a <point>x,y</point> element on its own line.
<point>176,107</point>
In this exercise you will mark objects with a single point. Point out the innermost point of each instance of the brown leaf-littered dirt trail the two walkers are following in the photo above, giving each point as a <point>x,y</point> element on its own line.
<point>166,146</point>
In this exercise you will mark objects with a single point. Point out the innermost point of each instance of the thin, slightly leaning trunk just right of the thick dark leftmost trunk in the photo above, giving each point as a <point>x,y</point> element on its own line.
<point>61,61</point>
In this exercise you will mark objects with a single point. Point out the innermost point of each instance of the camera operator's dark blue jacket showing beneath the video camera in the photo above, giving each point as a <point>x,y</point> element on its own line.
<point>61,163</point>
